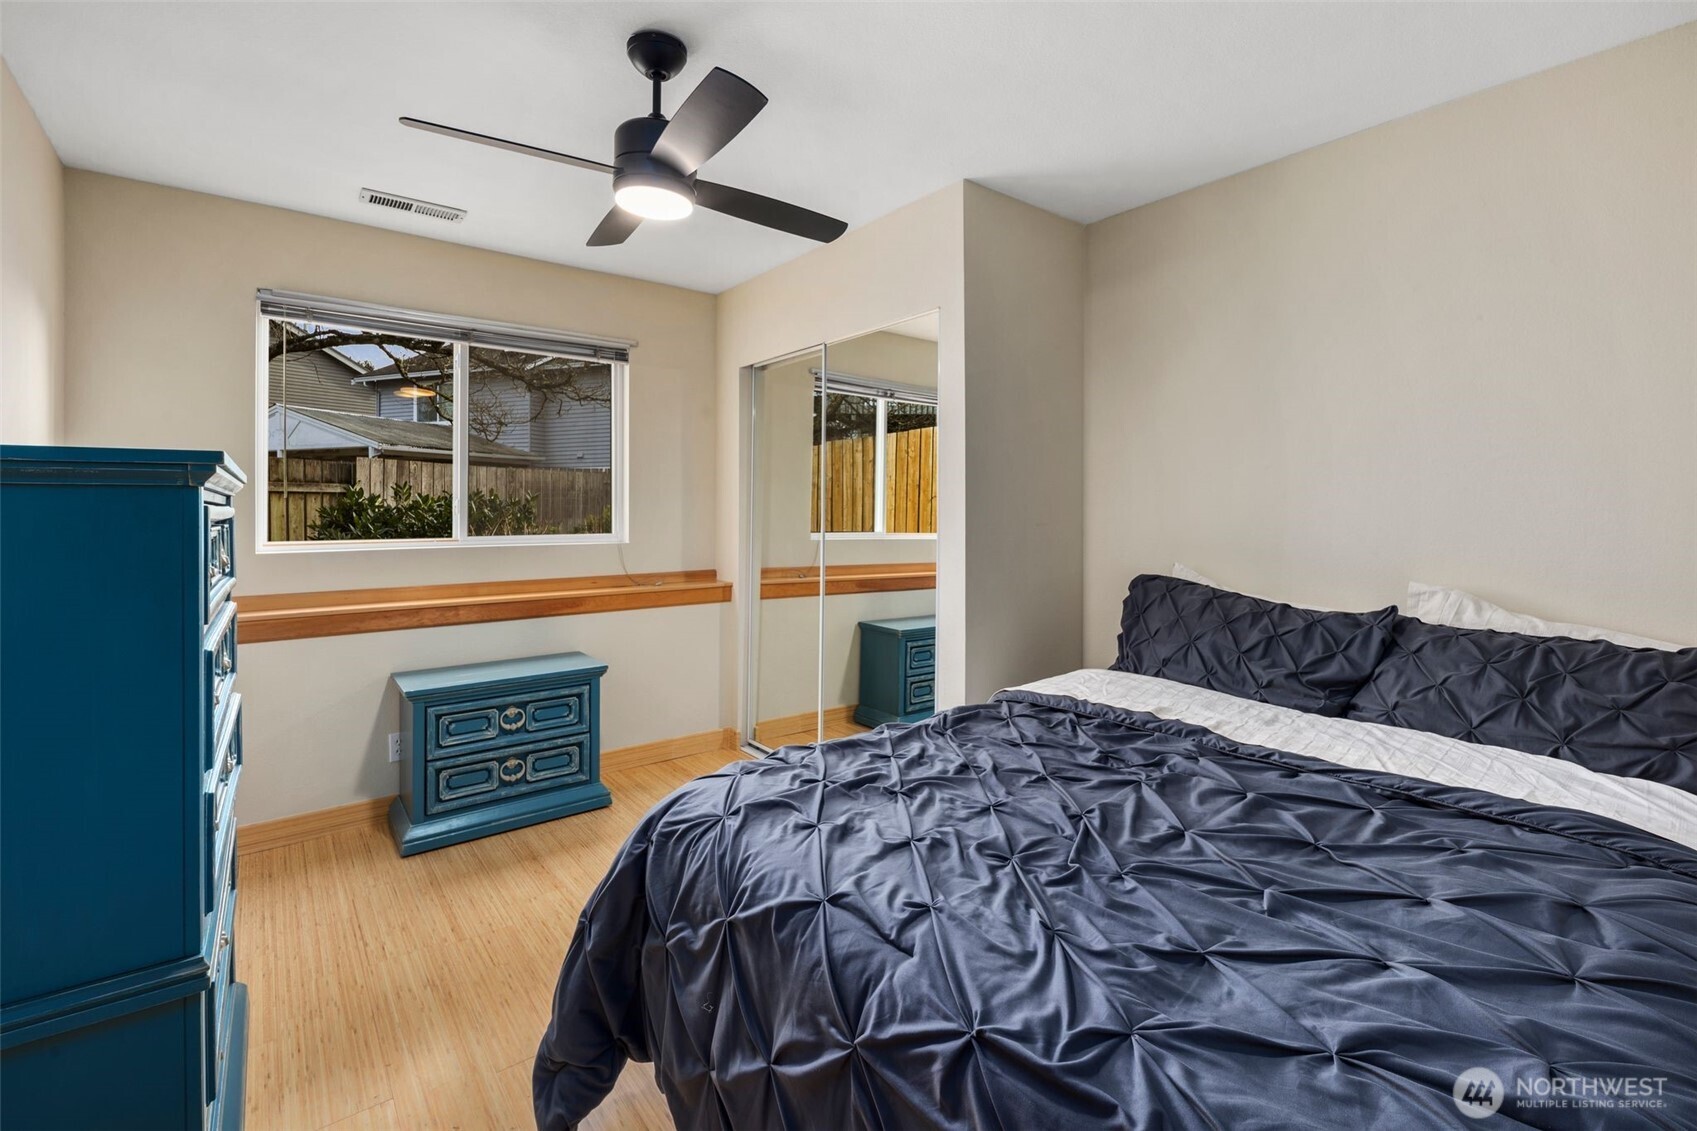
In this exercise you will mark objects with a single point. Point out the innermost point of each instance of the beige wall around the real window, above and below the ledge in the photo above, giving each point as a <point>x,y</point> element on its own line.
<point>160,293</point>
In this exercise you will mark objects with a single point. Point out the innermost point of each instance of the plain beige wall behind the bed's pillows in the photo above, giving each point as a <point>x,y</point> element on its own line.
<point>1460,347</point>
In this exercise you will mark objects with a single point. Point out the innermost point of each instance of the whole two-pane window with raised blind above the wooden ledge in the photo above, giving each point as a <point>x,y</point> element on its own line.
<point>391,427</point>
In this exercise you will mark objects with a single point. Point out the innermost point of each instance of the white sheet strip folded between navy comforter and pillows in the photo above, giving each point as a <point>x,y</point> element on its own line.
<point>1649,806</point>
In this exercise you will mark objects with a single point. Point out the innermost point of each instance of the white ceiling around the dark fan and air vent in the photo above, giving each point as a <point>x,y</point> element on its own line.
<point>1085,110</point>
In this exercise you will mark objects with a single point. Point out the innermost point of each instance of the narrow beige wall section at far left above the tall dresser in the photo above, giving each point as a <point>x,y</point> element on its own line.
<point>31,274</point>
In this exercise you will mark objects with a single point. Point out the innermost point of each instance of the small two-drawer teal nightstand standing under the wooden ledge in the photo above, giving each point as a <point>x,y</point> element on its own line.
<point>498,746</point>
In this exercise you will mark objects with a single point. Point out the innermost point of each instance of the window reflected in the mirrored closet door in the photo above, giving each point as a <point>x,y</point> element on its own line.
<point>877,449</point>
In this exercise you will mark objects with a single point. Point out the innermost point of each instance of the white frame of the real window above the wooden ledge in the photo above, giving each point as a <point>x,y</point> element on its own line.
<point>462,383</point>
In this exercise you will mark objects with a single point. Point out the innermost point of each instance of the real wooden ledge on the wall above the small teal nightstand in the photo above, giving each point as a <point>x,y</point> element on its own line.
<point>345,612</point>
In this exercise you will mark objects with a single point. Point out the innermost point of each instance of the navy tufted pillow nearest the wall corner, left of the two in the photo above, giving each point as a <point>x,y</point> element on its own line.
<point>1243,646</point>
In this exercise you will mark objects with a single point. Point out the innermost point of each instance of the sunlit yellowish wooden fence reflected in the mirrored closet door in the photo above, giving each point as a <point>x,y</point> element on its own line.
<point>910,483</point>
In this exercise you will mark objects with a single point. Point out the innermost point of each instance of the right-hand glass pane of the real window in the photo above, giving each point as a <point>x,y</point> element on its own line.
<point>540,446</point>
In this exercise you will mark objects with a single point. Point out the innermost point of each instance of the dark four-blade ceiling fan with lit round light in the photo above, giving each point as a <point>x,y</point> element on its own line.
<point>656,160</point>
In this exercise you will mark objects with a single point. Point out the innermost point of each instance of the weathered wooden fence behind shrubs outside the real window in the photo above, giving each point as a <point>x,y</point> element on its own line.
<point>566,497</point>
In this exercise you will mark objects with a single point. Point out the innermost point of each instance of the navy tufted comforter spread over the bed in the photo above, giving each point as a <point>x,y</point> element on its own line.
<point>1045,914</point>
